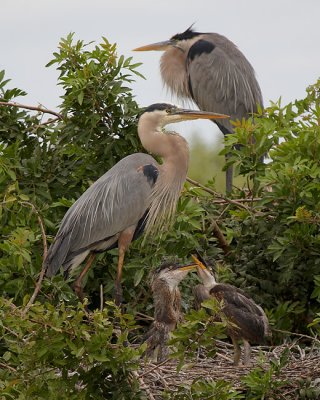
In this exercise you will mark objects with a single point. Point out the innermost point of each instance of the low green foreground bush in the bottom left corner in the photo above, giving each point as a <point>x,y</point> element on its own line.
<point>66,354</point>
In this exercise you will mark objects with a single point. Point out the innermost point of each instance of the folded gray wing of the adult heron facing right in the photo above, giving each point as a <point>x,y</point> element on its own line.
<point>117,200</point>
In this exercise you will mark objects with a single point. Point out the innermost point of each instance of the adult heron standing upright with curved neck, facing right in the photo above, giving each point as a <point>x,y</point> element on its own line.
<point>135,194</point>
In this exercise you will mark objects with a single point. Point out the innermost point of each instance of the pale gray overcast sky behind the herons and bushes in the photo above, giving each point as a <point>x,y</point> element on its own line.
<point>281,39</point>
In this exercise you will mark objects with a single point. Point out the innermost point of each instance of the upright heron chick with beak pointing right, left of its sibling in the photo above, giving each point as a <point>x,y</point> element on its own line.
<point>167,306</point>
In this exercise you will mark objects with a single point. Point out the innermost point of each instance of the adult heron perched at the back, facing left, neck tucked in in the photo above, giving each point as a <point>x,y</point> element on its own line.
<point>210,70</point>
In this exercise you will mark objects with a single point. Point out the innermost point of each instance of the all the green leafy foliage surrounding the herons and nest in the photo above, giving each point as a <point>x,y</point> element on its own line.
<point>270,224</point>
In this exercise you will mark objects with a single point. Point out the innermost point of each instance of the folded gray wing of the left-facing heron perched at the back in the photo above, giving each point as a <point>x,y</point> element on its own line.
<point>224,81</point>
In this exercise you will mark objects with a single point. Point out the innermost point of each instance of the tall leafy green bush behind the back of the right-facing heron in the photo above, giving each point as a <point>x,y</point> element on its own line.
<point>50,164</point>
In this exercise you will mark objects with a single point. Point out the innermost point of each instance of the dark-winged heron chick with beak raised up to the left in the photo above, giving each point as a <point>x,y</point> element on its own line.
<point>249,321</point>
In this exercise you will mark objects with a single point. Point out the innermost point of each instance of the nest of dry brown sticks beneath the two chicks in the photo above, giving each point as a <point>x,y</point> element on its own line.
<point>302,365</point>
